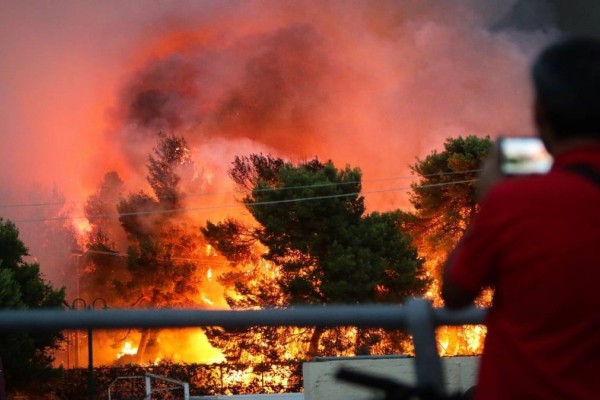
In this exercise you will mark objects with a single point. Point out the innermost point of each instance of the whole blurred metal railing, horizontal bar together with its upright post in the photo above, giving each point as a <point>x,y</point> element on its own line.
<point>417,317</point>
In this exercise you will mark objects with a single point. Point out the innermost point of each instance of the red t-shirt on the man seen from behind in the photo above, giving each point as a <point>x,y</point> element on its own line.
<point>536,240</point>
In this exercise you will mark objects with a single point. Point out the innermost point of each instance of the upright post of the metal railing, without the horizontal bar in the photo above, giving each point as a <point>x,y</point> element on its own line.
<point>421,325</point>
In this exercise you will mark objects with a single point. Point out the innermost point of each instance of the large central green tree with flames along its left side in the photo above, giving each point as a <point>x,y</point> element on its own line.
<point>321,248</point>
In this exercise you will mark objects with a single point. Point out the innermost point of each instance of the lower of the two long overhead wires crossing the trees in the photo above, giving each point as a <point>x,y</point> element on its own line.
<point>226,206</point>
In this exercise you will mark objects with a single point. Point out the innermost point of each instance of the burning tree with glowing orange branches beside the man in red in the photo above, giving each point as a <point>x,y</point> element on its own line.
<point>444,201</point>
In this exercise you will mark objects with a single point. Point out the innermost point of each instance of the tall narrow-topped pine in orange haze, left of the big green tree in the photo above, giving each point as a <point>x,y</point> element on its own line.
<point>162,245</point>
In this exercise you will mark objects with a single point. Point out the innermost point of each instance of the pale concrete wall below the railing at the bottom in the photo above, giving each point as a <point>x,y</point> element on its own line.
<point>320,382</point>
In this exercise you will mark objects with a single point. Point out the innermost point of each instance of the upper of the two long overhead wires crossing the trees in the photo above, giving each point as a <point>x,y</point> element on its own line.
<point>63,203</point>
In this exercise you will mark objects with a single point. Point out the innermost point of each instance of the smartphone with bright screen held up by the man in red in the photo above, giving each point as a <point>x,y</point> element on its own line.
<point>523,156</point>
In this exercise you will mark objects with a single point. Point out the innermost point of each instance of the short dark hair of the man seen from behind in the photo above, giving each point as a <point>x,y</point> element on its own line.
<point>566,79</point>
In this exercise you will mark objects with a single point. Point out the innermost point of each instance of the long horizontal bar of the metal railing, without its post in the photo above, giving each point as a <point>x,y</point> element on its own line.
<point>389,316</point>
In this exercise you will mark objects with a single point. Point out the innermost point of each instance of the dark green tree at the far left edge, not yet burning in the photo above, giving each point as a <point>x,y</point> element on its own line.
<point>22,286</point>
